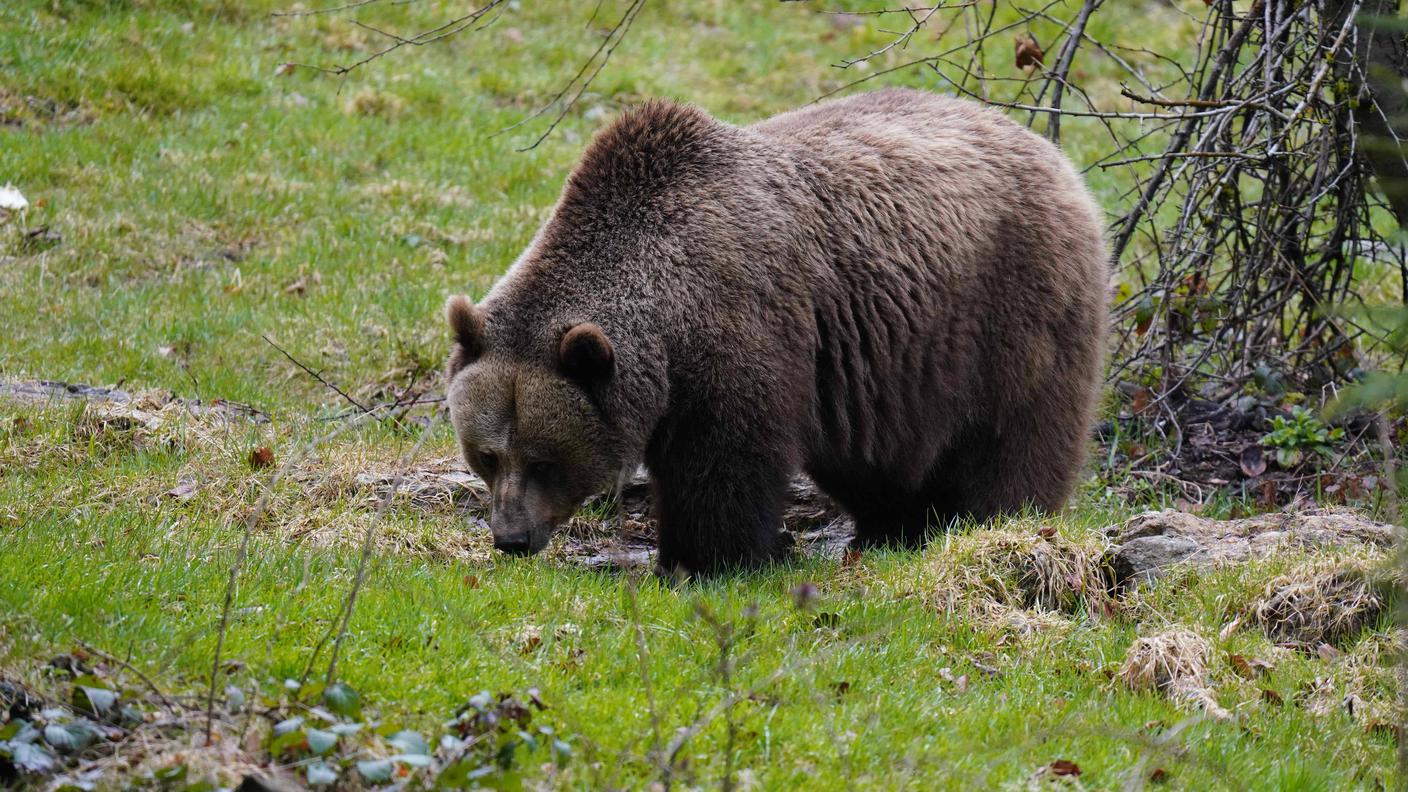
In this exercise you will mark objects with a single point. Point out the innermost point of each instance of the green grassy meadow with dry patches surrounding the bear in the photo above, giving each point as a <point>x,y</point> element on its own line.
<point>189,199</point>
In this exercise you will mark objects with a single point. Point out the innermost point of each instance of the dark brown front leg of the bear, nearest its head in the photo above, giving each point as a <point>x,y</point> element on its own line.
<point>719,508</point>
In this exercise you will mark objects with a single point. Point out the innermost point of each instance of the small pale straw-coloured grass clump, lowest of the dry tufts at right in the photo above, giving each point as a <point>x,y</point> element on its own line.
<point>1176,664</point>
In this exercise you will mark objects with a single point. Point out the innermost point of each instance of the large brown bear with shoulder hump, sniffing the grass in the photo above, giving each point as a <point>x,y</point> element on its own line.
<point>900,294</point>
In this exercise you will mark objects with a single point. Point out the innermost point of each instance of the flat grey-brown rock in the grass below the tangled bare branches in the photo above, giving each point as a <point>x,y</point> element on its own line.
<point>1154,543</point>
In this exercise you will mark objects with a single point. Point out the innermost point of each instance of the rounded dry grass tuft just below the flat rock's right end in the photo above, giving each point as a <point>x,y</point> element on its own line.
<point>1319,607</point>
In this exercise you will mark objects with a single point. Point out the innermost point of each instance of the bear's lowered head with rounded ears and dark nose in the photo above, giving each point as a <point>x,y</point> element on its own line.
<point>533,426</point>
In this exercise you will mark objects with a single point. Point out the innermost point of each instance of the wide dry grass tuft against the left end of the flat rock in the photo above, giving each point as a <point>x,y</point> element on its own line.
<point>1037,570</point>
